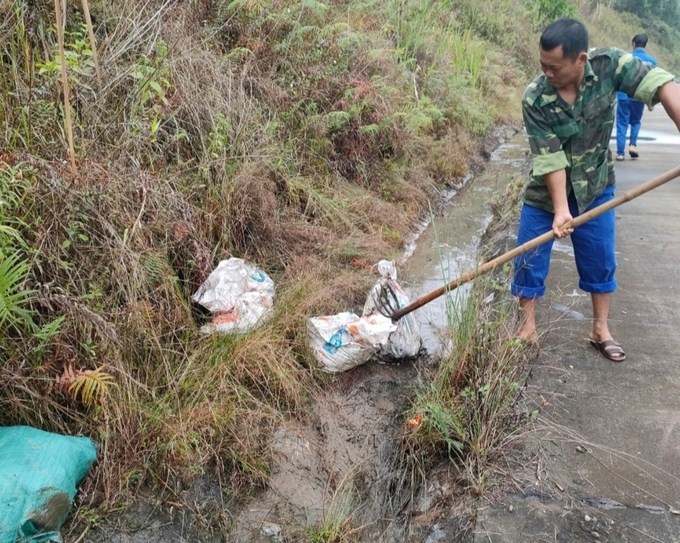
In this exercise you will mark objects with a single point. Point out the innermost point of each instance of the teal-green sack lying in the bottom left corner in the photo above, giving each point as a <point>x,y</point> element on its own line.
<point>39,472</point>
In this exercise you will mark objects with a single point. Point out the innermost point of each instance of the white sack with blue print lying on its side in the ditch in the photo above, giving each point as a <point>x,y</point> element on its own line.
<point>344,341</point>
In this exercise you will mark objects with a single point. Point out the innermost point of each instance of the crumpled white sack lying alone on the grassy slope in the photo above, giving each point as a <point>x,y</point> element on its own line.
<point>240,295</point>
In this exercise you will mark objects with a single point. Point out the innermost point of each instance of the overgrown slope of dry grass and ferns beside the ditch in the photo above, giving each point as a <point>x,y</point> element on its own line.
<point>296,137</point>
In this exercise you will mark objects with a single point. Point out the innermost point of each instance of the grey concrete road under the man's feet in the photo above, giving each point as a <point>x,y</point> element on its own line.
<point>604,462</point>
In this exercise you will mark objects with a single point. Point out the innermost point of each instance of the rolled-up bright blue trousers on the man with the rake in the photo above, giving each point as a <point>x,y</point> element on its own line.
<point>594,250</point>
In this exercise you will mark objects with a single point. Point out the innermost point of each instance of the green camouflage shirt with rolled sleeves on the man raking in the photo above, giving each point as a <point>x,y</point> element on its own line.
<point>576,137</point>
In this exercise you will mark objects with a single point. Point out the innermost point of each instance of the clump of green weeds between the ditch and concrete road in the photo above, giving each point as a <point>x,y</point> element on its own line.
<point>471,406</point>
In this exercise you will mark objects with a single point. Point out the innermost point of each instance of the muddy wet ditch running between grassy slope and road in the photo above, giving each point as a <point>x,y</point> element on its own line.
<point>346,464</point>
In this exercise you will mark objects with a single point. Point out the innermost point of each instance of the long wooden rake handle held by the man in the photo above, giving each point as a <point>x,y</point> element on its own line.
<point>532,244</point>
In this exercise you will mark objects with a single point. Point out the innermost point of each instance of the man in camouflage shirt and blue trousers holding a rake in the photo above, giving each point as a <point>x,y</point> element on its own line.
<point>569,116</point>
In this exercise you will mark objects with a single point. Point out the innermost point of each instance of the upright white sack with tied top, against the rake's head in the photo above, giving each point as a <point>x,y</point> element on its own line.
<point>405,341</point>
